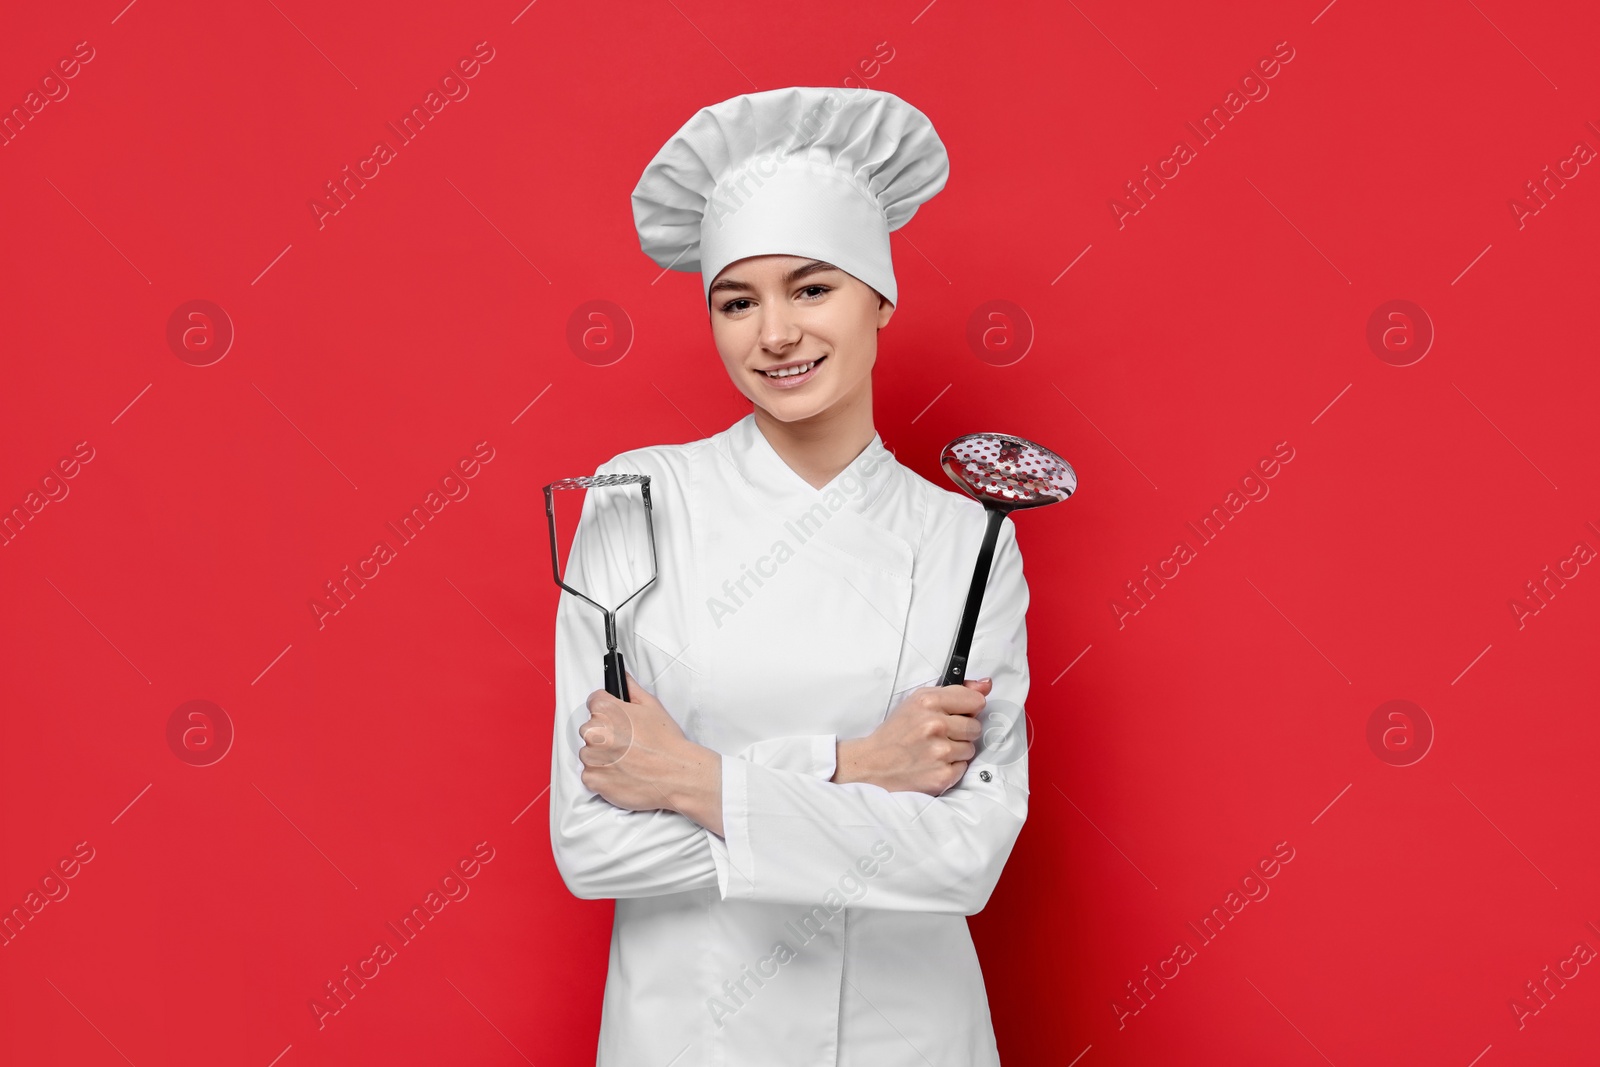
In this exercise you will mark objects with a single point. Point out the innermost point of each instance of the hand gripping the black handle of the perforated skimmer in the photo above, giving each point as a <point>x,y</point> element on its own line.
<point>926,743</point>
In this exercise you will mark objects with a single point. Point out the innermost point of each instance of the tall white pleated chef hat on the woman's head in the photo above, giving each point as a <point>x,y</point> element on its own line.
<point>802,172</point>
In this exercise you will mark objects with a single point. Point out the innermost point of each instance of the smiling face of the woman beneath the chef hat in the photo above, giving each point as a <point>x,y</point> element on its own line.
<point>783,313</point>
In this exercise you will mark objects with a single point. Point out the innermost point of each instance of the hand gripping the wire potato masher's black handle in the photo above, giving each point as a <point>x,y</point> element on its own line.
<point>638,757</point>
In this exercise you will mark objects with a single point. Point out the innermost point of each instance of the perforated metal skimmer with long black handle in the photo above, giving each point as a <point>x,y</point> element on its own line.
<point>1004,474</point>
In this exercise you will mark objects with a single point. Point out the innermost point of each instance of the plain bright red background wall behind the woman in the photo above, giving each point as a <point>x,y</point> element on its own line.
<point>1172,753</point>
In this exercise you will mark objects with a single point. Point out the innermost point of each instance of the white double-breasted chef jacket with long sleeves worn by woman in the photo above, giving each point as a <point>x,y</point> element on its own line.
<point>828,925</point>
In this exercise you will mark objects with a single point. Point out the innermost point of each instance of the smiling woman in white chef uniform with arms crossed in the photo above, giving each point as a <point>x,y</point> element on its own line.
<point>793,817</point>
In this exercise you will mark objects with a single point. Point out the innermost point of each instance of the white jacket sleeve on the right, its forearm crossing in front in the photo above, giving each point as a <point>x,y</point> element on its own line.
<point>790,837</point>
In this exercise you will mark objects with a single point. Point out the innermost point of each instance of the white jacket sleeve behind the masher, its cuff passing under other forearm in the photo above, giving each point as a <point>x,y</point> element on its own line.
<point>604,852</point>
